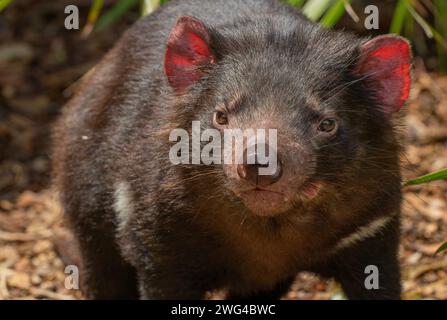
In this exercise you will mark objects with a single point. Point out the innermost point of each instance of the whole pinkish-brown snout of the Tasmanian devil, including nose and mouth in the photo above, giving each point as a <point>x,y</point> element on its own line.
<point>273,172</point>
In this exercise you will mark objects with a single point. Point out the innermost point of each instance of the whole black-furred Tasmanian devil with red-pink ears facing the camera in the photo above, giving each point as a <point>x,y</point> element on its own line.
<point>149,228</point>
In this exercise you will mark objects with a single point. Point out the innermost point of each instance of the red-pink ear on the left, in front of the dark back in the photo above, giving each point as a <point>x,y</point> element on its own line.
<point>187,53</point>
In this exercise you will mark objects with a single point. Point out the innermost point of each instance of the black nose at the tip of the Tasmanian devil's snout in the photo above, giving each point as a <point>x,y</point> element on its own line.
<point>250,172</point>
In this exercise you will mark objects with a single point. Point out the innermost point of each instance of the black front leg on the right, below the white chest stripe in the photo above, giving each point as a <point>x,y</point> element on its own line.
<point>368,267</point>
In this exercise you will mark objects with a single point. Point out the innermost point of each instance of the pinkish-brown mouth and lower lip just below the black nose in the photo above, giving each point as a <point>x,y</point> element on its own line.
<point>268,203</point>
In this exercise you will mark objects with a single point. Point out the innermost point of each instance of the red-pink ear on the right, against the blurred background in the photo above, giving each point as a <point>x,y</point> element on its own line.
<point>385,62</point>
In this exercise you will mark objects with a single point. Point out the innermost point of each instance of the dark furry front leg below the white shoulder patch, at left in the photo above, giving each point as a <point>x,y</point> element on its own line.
<point>173,263</point>
